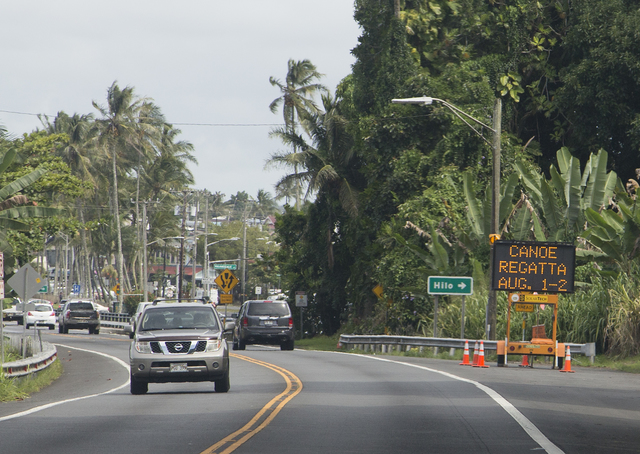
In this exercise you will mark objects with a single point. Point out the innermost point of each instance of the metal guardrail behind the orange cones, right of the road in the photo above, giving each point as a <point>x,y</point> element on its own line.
<point>386,344</point>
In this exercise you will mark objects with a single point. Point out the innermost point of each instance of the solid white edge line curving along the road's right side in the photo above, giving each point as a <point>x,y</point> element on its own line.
<point>521,419</point>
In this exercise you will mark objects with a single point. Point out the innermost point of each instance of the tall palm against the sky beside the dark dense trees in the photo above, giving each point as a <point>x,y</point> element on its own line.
<point>296,99</point>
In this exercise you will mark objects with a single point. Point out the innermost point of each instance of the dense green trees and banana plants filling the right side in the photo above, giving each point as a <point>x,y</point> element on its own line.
<point>418,177</point>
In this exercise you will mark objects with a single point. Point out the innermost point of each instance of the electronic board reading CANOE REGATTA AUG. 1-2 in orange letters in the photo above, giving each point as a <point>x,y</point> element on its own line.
<point>533,266</point>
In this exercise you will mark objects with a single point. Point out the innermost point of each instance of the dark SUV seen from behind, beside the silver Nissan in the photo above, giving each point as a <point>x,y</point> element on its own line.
<point>264,322</point>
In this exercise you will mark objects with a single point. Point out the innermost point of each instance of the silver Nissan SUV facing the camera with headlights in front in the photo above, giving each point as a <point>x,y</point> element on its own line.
<point>179,342</point>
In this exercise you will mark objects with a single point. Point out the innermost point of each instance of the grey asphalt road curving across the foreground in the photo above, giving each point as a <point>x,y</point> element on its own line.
<point>347,404</point>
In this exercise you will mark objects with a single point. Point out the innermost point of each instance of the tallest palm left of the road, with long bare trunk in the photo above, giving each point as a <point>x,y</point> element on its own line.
<point>120,121</point>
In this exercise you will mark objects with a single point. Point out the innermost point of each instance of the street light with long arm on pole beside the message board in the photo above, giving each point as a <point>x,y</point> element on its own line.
<point>495,180</point>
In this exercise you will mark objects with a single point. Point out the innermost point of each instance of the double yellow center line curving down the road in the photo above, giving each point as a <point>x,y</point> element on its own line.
<point>265,415</point>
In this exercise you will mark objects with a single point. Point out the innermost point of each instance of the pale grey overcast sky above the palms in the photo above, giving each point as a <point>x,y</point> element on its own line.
<point>201,61</point>
